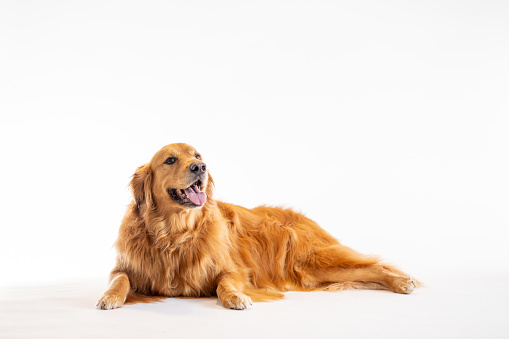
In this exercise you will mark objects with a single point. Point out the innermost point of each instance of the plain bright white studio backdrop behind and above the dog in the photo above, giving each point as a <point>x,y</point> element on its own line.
<point>384,121</point>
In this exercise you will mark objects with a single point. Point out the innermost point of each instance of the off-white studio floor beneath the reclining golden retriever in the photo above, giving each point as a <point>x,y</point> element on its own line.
<point>448,307</point>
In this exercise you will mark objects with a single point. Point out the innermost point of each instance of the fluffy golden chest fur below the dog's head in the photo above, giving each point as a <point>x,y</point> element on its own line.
<point>173,262</point>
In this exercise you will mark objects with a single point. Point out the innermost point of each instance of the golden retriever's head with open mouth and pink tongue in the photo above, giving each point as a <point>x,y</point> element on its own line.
<point>176,178</point>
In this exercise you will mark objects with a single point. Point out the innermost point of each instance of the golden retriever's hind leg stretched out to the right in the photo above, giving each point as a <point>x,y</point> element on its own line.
<point>347,268</point>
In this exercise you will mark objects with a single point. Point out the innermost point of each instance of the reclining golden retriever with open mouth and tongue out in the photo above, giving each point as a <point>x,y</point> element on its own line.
<point>176,240</point>
